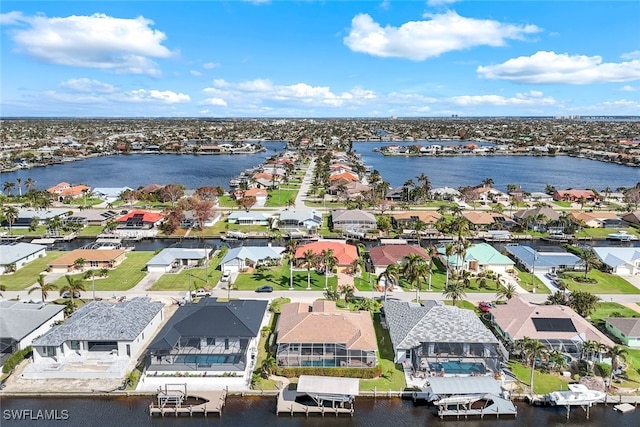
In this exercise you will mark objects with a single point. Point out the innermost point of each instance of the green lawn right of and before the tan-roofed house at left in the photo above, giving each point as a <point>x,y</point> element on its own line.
<point>122,278</point>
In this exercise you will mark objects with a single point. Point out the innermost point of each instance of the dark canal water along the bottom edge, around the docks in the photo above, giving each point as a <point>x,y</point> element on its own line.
<point>260,411</point>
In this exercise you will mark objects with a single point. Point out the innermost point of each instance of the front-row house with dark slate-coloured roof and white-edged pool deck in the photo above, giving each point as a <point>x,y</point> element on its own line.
<point>207,340</point>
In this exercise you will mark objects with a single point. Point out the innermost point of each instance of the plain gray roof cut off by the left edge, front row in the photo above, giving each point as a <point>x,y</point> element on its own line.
<point>19,319</point>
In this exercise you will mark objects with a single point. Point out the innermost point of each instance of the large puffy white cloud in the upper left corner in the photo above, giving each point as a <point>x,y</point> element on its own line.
<point>125,46</point>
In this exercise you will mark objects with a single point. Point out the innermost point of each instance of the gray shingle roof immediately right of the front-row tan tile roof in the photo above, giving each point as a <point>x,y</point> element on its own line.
<point>411,324</point>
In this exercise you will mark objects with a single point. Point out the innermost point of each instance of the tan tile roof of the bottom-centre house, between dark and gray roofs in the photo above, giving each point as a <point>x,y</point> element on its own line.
<point>321,322</point>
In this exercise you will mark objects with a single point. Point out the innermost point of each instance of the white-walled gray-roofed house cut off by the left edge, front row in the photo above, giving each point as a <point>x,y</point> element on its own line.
<point>22,322</point>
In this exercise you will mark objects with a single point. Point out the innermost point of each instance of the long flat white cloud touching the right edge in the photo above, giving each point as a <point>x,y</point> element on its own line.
<point>551,67</point>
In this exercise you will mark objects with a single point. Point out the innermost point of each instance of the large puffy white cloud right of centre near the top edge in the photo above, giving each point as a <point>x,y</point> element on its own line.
<point>419,40</point>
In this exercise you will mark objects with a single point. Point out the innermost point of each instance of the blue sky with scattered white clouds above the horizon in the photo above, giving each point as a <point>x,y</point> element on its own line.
<point>319,58</point>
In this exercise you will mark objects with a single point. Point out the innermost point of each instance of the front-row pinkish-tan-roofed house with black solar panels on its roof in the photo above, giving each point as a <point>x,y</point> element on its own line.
<point>556,326</point>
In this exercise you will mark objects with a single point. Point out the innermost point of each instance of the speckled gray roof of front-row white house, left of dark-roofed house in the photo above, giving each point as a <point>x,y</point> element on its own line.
<point>104,321</point>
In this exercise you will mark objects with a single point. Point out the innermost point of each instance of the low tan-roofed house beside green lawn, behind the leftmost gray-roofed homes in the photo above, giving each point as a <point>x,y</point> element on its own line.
<point>91,258</point>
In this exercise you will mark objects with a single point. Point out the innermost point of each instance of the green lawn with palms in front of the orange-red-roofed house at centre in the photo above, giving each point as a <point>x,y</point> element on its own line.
<point>278,277</point>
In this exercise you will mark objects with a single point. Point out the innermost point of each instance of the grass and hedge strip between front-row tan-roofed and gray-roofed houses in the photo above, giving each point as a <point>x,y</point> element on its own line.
<point>392,375</point>
